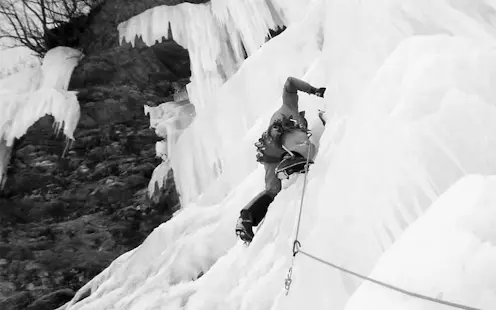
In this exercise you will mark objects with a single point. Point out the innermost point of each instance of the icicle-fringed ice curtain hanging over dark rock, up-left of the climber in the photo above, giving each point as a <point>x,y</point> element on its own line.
<point>216,35</point>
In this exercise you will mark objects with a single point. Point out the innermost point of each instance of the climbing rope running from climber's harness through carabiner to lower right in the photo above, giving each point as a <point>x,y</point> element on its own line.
<point>296,249</point>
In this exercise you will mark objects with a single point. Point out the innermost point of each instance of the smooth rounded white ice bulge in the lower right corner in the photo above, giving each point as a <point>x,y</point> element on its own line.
<point>447,254</point>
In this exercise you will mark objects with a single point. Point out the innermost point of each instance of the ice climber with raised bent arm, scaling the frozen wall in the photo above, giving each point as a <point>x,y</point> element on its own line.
<point>283,149</point>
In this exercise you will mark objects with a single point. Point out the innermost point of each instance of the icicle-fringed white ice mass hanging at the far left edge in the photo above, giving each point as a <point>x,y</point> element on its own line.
<point>31,93</point>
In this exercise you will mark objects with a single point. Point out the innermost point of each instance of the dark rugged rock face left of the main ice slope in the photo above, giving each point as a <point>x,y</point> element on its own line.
<point>67,211</point>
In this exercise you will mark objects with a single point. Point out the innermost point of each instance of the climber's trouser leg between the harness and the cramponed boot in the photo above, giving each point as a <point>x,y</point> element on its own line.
<point>258,206</point>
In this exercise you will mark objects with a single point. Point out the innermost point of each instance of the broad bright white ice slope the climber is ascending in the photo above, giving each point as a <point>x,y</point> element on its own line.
<point>411,107</point>
